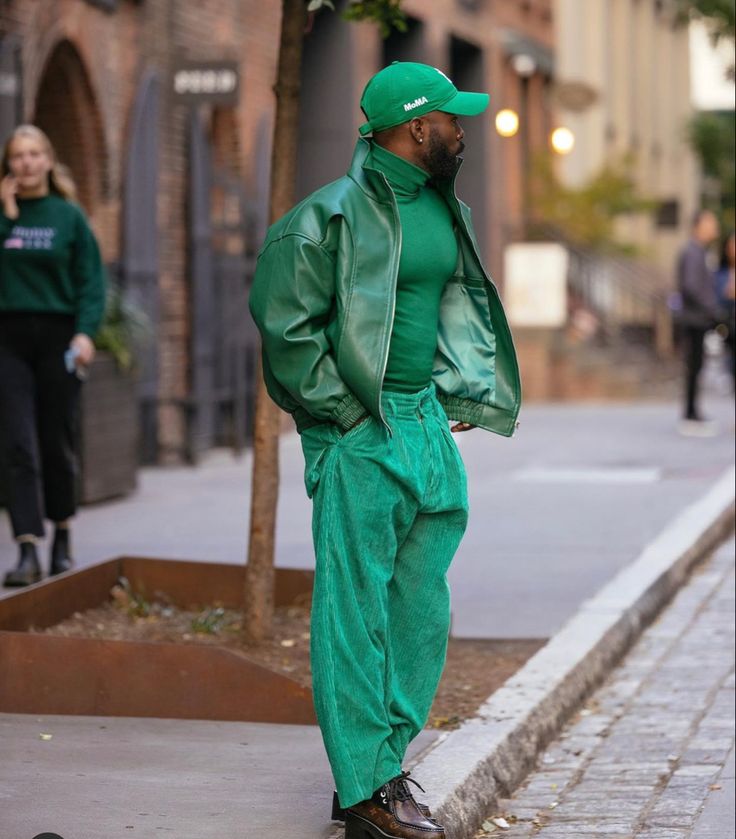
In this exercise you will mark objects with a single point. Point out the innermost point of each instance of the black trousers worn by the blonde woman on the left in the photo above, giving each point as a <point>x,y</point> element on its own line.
<point>39,405</point>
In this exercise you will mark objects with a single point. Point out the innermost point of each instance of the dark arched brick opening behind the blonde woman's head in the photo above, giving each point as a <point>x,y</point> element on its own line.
<point>66,109</point>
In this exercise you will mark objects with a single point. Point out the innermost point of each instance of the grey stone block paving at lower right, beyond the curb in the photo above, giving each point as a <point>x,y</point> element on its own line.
<point>645,758</point>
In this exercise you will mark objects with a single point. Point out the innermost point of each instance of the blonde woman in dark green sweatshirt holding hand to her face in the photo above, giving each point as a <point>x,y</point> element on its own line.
<point>52,298</point>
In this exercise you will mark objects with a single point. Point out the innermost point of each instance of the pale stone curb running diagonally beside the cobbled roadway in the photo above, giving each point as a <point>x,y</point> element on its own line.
<point>489,755</point>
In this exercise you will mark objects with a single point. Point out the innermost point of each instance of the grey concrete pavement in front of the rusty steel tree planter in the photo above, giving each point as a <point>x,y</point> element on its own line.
<point>112,778</point>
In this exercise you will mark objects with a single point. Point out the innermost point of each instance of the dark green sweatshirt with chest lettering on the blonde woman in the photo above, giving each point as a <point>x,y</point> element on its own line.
<point>50,262</point>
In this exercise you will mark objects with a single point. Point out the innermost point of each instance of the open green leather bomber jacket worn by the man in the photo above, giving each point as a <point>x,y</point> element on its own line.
<point>323,299</point>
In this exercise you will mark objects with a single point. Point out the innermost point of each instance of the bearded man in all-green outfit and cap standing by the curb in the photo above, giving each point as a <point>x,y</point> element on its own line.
<point>379,323</point>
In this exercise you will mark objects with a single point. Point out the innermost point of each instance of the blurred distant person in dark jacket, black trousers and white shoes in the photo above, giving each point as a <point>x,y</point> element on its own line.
<point>699,314</point>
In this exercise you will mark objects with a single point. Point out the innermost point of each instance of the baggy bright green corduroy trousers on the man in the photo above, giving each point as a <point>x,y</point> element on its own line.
<point>389,513</point>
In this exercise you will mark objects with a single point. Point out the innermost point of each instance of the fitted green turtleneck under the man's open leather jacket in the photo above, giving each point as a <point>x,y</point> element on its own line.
<point>428,258</point>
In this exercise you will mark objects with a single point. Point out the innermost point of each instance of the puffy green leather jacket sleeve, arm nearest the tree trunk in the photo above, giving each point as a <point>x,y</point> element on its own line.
<point>291,301</point>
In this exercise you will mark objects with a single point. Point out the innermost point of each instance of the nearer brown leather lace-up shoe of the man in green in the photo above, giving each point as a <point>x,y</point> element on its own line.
<point>391,813</point>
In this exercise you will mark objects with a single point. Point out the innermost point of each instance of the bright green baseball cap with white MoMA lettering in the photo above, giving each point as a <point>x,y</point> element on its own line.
<point>405,90</point>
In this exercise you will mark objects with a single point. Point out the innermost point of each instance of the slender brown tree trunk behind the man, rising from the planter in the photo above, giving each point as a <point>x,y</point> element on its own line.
<point>260,576</point>
